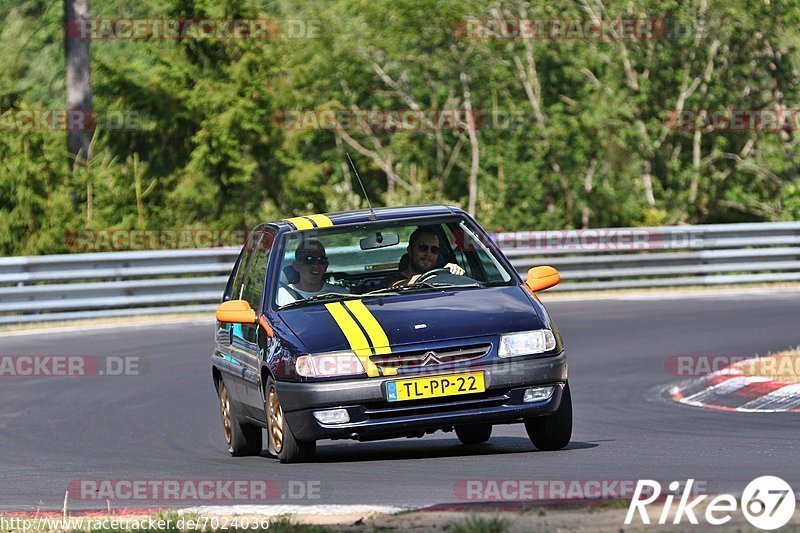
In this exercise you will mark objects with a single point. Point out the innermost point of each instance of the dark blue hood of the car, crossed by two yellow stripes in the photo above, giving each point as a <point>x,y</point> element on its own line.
<point>429,316</point>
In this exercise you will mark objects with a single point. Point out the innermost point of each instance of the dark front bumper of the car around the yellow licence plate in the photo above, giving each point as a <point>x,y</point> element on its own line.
<point>373,417</point>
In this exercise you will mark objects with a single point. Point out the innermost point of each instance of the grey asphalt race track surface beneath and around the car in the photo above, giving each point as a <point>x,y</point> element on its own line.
<point>164,424</point>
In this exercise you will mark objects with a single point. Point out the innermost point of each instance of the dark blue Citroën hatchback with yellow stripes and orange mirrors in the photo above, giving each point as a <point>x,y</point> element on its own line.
<point>379,324</point>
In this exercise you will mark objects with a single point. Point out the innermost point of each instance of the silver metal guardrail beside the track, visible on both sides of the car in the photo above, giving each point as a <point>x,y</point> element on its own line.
<point>66,287</point>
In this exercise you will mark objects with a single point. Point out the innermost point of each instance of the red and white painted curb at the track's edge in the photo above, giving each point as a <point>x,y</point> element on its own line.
<point>730,390</point>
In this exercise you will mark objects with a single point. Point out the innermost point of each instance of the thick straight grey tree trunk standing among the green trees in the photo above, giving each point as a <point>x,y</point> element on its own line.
<point>78,81</point>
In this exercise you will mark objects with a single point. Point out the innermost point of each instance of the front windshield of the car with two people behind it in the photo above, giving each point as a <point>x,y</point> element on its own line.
<point>323,265</point>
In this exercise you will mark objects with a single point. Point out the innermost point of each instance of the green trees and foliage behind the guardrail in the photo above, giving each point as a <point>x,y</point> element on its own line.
<point>593,150</point>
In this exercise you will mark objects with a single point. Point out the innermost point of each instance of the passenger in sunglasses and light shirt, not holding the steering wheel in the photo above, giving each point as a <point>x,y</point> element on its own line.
<point>311,263</point>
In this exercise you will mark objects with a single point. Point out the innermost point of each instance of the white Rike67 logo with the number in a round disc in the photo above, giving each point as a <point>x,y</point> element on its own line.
<point>767,502</point>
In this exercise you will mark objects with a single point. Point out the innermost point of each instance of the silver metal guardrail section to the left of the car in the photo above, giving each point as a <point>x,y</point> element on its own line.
<point>76,286</point>
